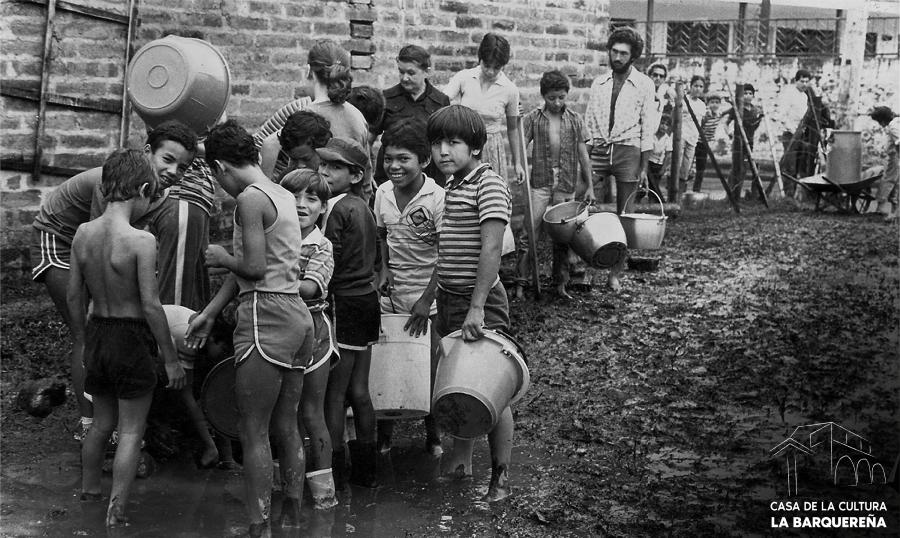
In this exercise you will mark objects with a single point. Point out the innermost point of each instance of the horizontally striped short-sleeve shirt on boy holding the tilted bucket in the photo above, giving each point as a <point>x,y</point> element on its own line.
<point>468,202</point>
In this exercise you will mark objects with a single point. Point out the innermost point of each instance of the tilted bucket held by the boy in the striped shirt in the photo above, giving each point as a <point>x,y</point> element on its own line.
<point>476,381</point>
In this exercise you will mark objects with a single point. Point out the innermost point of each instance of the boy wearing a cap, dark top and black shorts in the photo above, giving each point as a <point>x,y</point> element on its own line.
<point>350,226</point>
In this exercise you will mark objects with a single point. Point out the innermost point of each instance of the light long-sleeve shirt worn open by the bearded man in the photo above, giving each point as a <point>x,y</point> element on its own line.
<point>636,117</point>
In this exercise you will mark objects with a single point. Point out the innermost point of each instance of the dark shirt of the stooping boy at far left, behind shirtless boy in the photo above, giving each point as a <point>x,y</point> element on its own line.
<point>69,205</point>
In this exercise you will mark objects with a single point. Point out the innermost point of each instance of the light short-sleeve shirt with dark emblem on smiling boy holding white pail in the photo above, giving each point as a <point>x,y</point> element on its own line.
<point>412,233</point>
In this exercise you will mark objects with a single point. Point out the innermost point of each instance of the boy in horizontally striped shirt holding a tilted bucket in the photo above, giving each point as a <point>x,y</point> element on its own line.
<point>470,297</point>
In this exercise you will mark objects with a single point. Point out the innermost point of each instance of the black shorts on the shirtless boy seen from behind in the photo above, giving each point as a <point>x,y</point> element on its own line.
<point>120,358</point>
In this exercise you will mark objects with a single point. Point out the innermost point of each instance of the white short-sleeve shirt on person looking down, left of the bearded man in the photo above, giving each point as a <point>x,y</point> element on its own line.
<point>494,105</point>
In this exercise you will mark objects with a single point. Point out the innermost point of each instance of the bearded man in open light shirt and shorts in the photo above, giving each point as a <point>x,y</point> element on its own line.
<point>621,120</point>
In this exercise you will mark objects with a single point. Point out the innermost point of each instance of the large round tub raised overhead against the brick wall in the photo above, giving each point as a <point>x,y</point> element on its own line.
<point>179,78</point>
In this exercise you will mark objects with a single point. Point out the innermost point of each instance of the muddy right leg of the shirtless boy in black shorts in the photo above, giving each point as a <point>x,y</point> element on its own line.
<point>132,422</point>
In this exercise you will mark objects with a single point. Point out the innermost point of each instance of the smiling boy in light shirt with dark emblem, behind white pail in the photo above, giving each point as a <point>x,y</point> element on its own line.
<point>408,213</point>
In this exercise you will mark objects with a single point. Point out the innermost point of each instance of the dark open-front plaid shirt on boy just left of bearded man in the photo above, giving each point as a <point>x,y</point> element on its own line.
<point>571,133</point>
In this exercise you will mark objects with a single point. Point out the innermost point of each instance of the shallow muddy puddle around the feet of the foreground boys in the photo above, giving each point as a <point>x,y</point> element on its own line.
<point>42,499</point>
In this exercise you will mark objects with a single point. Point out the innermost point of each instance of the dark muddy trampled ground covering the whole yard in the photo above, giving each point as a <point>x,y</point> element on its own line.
<point>651,412</point>
